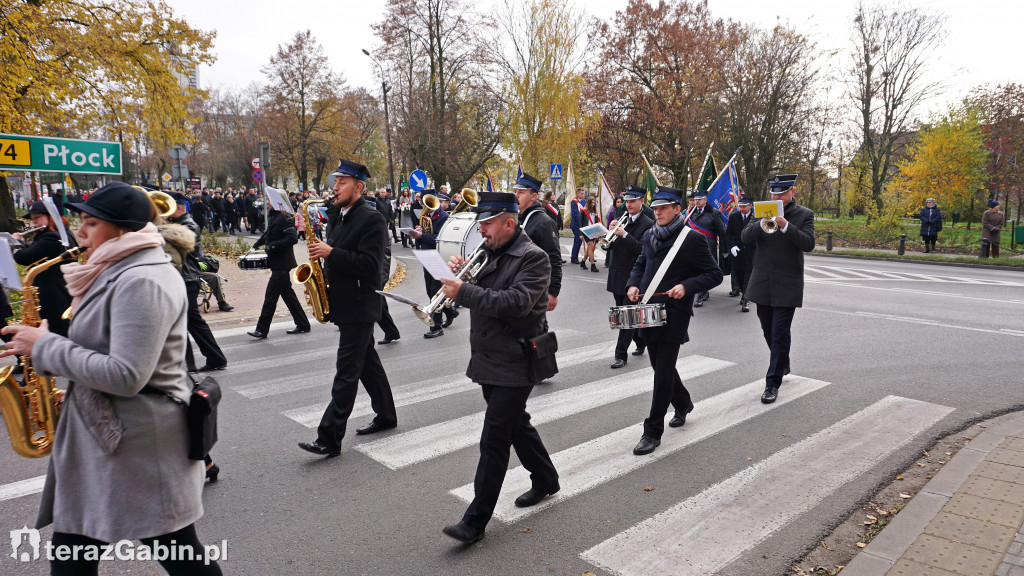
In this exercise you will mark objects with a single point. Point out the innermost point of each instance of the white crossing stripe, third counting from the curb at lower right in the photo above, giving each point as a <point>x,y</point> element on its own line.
<point>429,442</point>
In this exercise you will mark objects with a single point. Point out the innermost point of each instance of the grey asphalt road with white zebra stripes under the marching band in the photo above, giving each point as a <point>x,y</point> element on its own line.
<point>886,357</point>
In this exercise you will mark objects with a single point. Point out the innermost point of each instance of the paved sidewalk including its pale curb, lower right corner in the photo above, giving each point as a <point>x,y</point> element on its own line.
<point>968,521</point>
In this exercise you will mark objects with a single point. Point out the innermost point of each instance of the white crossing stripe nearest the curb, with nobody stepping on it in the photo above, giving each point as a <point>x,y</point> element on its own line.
<point>709,531</point>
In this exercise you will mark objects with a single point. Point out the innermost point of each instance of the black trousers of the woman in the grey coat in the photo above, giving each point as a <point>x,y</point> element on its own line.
<point>179,567</point>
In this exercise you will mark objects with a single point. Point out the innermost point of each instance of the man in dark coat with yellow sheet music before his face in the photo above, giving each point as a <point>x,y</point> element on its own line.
<point>777,283</point>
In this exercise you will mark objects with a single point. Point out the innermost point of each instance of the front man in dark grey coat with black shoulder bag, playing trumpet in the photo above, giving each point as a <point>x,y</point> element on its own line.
<point>507,307</point>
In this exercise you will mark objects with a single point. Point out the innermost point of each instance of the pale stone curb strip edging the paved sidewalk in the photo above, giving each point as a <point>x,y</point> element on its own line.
<point>886,550</point>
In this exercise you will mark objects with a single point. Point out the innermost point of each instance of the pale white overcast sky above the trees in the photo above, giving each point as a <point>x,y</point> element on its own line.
<point>984,45</point>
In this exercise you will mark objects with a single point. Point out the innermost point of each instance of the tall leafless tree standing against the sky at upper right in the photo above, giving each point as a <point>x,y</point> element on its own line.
<point>890,53</point>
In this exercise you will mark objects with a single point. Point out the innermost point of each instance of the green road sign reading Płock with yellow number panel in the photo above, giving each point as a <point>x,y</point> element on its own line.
<point>59,155</point>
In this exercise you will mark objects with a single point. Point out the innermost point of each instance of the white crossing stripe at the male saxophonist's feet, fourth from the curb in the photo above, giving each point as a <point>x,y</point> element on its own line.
<point>310,417</point>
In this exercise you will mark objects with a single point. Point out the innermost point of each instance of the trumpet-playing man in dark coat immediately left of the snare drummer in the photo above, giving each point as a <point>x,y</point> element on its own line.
<point>624,252</point>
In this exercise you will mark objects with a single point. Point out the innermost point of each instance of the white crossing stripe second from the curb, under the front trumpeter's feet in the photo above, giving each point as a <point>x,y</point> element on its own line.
<point>603,460</point>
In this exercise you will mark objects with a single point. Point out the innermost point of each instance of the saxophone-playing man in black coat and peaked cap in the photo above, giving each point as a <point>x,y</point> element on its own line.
<point>353,256</point>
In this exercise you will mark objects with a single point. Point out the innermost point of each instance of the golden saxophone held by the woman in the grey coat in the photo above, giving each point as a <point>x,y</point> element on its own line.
<point>31,410</point>
